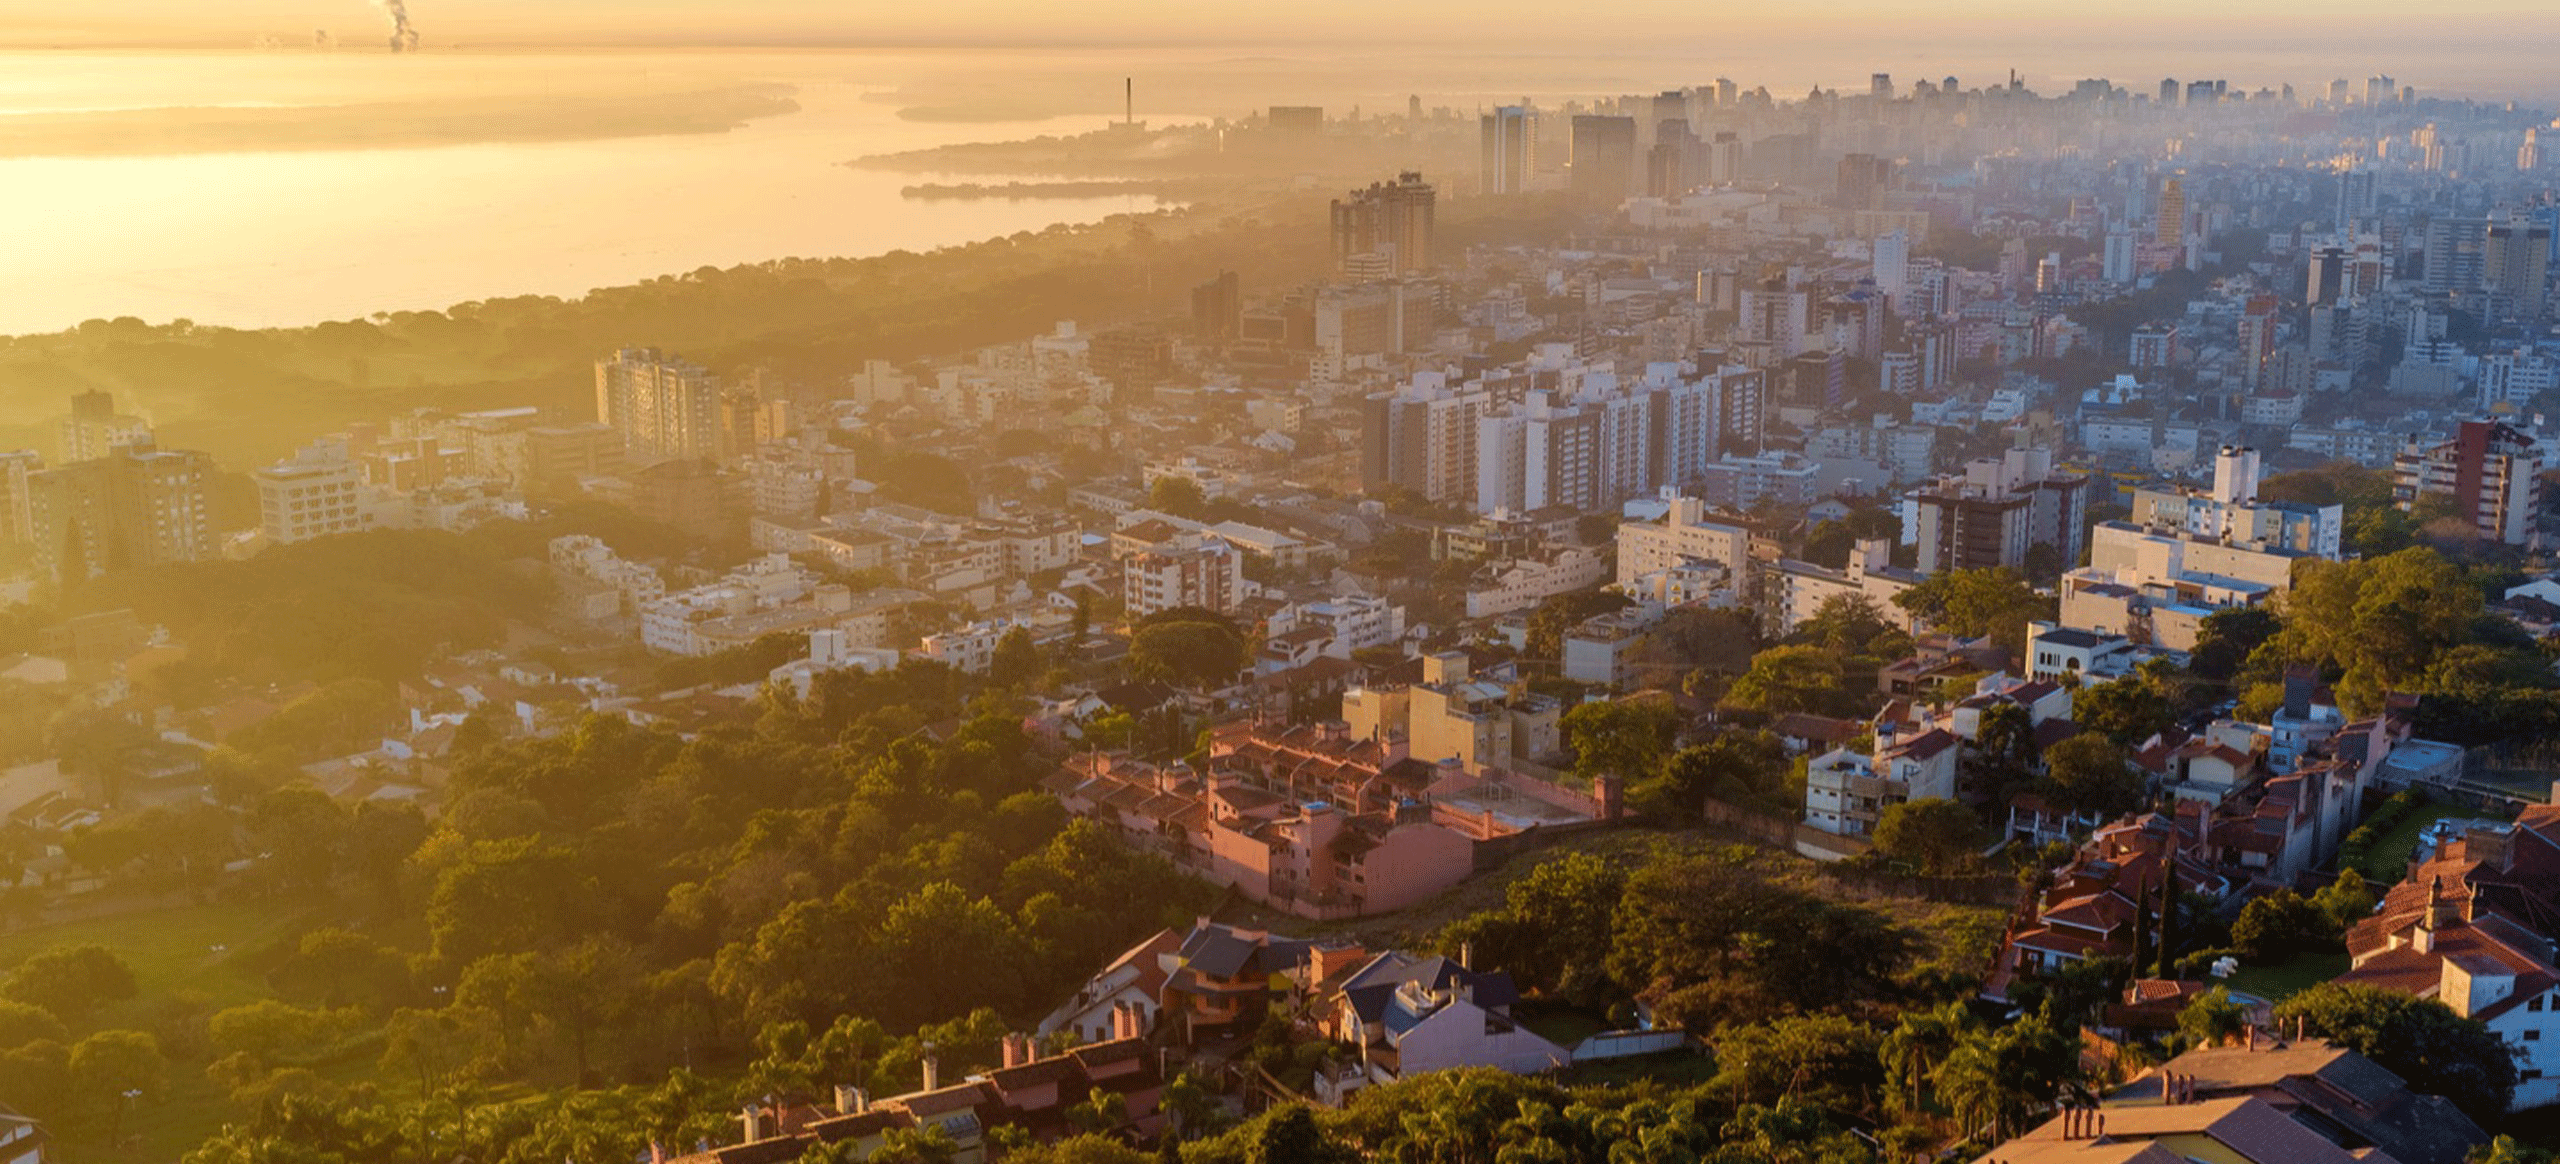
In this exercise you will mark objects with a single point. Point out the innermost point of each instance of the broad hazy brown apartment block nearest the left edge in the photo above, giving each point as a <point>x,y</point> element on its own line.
<point>132,508</point>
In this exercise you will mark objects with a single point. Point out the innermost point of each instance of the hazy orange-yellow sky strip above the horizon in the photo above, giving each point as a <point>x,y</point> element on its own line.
<point>2510,24</point>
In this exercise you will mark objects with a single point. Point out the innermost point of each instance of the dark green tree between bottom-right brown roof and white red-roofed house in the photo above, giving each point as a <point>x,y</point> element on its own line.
<point>2418,1040</point>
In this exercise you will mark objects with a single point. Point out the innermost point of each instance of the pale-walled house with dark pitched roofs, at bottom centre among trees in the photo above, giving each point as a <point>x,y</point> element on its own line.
<point>1409,1014</point>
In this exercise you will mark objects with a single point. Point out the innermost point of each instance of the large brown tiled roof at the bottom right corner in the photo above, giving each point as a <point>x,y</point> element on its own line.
<point>2346,1099</point>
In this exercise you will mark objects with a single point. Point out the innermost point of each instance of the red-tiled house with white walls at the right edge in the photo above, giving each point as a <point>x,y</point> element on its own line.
<point>2474,927</point>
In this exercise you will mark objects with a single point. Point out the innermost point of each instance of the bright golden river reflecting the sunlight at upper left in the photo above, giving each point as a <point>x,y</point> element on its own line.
<point>262,239</point>
